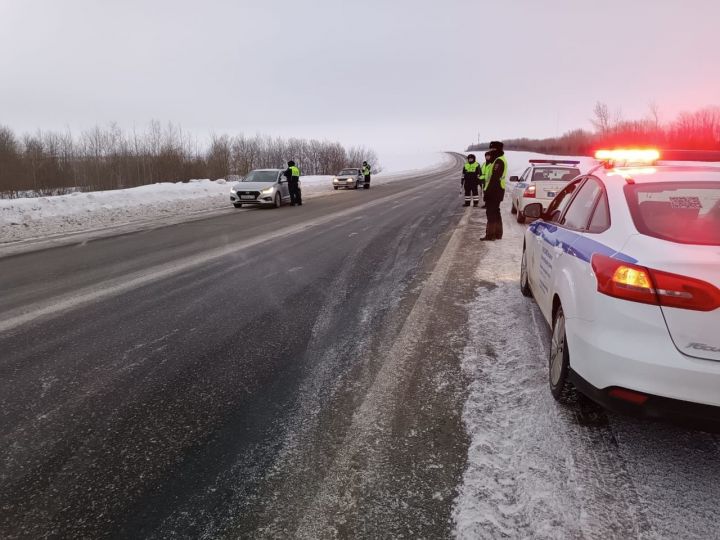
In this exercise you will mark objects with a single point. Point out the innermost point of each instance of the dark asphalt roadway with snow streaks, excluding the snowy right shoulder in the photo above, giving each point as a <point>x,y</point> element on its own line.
<point>266,373</point>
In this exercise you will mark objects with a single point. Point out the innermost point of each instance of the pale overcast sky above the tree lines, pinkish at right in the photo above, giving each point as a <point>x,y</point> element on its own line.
<point>395,75</point>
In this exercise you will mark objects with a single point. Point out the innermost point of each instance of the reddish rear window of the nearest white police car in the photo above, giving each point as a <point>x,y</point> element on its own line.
<point>683,212</point>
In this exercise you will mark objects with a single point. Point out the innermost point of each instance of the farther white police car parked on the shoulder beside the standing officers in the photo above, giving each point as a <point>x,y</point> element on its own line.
<point>540,182</point>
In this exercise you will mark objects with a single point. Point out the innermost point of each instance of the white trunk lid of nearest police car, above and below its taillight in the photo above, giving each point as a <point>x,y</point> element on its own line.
<point>695,333</point>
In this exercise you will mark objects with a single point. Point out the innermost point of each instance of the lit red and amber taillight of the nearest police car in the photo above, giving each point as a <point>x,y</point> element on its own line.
<point>639,284</point>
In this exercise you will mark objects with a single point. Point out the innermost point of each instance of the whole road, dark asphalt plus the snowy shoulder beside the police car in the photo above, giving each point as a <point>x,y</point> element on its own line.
<point>358,367</point>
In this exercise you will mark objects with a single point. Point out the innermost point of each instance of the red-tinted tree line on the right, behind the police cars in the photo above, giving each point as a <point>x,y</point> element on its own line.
<point>699,130</point>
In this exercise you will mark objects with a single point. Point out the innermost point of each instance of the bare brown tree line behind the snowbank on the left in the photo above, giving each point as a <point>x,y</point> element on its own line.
<point>50,162</point>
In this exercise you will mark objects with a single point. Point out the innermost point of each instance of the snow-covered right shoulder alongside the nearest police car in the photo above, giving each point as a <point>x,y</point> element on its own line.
<point>540,470</point>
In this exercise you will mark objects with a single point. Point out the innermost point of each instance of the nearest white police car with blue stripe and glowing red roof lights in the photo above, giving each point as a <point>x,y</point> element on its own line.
<point>625,267</point>
